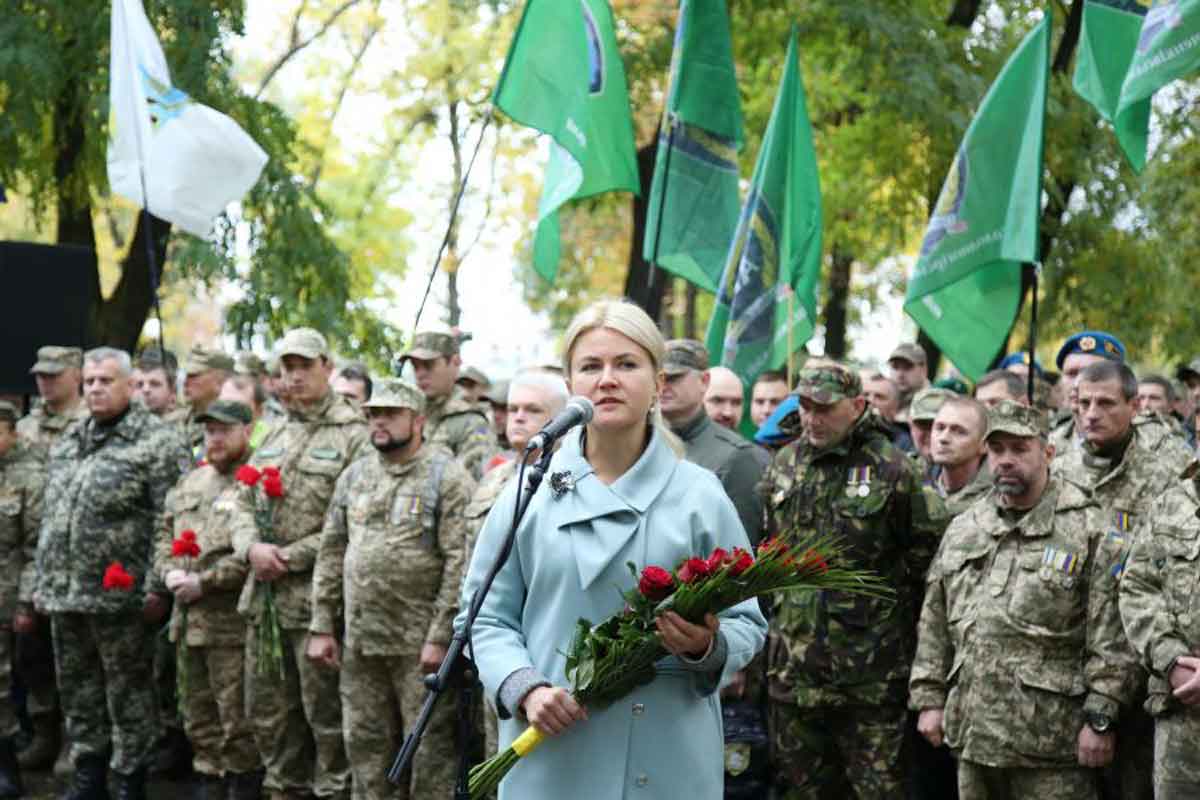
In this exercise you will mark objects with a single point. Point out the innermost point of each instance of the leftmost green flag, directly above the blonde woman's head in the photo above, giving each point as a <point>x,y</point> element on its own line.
<point>565,77</point>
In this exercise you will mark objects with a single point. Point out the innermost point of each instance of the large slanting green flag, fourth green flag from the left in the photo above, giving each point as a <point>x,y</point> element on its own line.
<point>967,285</point>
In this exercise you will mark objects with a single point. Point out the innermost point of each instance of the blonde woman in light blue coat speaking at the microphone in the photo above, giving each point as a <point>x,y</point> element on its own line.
<point>629,497</point>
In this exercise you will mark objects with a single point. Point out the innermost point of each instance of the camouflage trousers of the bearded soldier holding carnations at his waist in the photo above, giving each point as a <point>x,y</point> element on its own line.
<point>215,712</point>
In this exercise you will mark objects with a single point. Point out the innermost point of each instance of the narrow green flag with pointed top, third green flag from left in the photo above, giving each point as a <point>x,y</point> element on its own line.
<point>777,249</point>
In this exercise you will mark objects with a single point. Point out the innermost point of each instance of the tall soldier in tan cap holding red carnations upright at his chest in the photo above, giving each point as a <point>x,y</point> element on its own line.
<point>298,717</point>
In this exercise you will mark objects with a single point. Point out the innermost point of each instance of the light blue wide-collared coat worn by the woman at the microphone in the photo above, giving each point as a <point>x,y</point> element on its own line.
<point>664,742</point>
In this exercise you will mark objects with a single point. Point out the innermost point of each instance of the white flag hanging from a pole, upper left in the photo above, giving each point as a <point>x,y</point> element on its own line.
<point>194,160</point>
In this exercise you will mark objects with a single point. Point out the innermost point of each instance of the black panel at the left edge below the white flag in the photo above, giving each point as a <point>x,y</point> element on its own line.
<point>46,293</point>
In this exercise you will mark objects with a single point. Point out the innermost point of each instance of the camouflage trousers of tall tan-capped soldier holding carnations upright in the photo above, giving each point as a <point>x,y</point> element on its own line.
<point>297,720</point>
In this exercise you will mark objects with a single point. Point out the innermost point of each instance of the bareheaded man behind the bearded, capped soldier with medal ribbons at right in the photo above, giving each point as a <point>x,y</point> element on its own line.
<point>958,453</point>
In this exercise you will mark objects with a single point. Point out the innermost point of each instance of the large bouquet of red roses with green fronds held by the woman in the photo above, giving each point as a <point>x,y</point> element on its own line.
<point>605,663</point>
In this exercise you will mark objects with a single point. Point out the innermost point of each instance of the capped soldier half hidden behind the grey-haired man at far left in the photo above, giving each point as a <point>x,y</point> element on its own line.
<point>58,377</point>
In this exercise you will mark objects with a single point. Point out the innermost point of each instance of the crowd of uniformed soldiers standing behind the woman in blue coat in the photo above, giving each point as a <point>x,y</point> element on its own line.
<point>266,573</point>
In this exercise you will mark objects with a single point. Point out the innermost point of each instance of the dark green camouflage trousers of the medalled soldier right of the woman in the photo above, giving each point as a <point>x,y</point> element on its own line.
<point>838,751</point>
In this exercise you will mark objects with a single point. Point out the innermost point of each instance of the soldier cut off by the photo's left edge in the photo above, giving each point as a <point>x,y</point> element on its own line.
<point>21,513</point>
